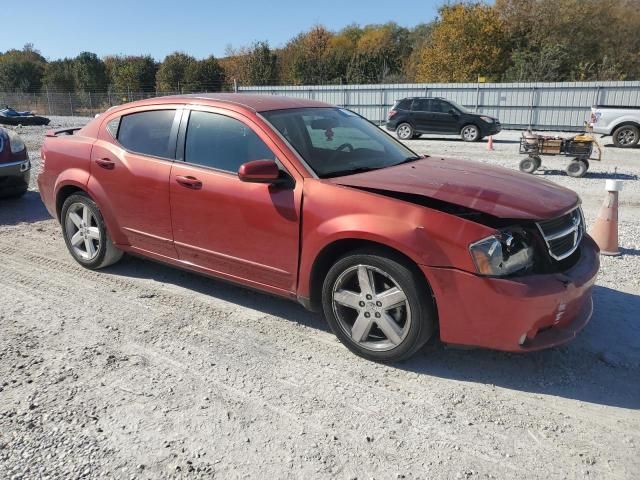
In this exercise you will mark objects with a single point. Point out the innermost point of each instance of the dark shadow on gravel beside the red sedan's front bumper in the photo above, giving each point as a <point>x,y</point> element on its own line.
<point>601,366</point>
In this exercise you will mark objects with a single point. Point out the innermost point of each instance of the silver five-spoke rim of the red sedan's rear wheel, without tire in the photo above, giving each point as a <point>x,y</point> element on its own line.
<point>82,231</point>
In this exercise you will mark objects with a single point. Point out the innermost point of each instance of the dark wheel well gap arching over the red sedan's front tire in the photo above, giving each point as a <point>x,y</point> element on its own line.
<point>331,252</point>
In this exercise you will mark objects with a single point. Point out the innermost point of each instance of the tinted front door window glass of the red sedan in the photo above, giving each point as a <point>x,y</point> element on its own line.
<point>221,142</point>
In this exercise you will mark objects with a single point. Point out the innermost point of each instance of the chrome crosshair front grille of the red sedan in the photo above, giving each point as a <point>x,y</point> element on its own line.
<point>563,234</point>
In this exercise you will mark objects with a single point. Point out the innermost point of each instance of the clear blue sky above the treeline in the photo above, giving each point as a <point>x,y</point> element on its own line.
<point>65,28</point>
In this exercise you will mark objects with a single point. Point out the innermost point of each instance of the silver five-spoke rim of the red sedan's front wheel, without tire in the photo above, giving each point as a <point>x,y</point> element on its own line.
<point>371,308</point>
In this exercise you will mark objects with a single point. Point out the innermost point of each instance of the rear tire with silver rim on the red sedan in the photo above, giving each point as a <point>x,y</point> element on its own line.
<point>85,233</point>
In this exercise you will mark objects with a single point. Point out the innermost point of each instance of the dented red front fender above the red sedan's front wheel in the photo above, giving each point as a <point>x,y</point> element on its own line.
<point>428,237</point>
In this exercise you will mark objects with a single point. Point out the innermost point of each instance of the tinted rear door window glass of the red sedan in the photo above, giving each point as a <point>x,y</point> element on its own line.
<point>148,133</point>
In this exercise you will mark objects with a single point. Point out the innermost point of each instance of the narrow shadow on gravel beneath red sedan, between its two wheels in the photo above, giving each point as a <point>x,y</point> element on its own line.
<point>133,267</point>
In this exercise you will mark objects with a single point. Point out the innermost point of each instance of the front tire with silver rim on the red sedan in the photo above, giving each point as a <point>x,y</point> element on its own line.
<point>378,306</point>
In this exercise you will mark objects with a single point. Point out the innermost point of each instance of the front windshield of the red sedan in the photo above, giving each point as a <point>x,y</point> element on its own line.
<point>335,141</point>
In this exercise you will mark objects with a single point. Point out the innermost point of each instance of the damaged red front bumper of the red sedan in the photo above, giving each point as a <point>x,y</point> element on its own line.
<point>515,314</point>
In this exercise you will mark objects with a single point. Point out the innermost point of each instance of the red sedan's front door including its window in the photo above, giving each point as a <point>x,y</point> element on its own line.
<point>244,231</point>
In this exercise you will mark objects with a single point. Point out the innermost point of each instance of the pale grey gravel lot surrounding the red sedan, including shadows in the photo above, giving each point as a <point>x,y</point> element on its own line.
<point>143,371</point>
